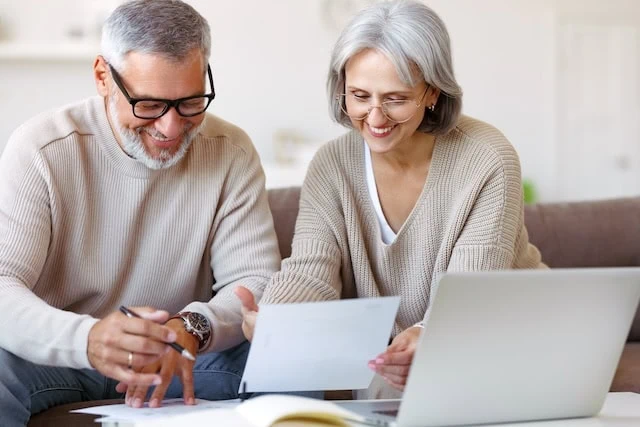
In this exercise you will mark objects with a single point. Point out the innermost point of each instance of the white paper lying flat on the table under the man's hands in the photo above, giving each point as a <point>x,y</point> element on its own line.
<point>170,407</point>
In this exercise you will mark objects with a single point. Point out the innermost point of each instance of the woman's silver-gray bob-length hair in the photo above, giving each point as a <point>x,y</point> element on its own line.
<point>414,39</point>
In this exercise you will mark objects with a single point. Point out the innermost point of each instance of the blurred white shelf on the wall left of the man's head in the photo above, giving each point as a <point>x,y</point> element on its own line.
<point>60,51</point>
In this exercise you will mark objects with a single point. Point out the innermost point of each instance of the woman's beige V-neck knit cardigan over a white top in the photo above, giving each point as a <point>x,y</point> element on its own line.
<point>468,217</point>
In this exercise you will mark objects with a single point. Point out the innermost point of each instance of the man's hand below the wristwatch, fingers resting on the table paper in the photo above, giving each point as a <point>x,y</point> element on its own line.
<point>171,364</point>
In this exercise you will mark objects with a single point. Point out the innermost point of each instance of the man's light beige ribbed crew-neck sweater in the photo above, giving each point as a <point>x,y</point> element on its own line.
<point>85,228</point>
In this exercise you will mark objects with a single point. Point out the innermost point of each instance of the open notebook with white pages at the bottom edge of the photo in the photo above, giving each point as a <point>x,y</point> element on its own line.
<point>266,411</point>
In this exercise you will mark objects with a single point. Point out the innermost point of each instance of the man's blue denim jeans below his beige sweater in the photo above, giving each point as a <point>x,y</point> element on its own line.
<point>27,388</point>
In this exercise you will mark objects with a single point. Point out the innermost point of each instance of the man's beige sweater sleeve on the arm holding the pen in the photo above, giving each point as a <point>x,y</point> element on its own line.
<point>30,327</point>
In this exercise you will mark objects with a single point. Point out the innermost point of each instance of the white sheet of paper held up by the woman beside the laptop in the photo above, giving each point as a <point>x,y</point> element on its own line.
<point>319,345</point>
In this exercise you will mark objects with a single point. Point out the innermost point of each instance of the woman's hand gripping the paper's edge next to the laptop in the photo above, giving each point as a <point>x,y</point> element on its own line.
<point>393,365</point>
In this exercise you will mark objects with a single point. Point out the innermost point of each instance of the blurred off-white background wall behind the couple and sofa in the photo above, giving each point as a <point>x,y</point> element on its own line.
<point>558,77</point>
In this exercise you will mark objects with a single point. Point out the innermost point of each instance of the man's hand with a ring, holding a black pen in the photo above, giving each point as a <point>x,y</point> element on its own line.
<point>116,339</point>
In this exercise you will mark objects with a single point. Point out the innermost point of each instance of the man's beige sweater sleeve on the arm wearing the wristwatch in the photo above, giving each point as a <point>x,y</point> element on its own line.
<point>243,250</point>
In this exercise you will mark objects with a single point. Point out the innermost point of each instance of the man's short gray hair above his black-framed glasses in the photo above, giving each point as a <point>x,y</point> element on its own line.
<point>170,28</point>
